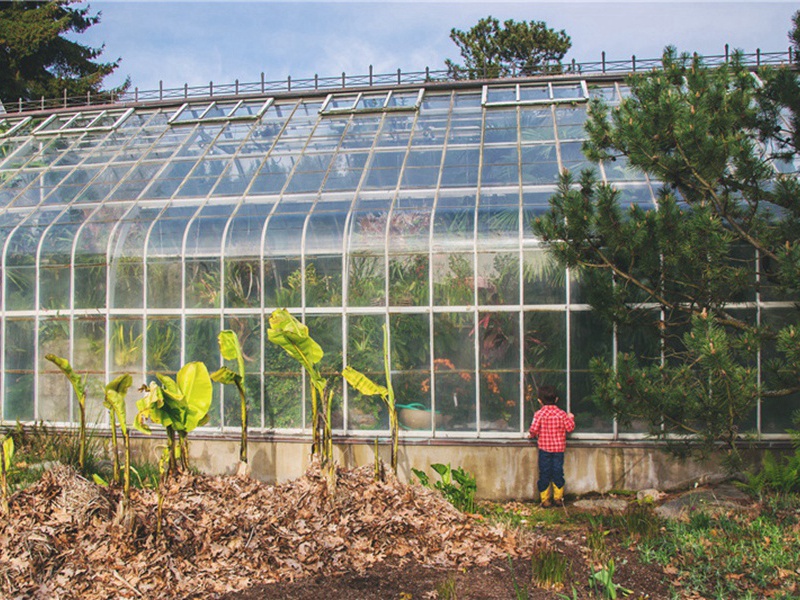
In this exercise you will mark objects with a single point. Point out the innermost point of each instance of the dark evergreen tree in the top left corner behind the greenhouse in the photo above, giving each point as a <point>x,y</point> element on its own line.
<point>36,59</point>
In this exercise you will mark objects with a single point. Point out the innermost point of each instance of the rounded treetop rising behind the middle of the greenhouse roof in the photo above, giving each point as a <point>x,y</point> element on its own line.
<point>491,51</point>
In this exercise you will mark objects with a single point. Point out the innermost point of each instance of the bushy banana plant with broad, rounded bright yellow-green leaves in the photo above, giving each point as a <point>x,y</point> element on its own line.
<point>180,405</point>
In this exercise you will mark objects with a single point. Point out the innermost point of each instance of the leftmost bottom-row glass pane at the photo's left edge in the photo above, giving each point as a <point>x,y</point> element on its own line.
<point>20,338</point>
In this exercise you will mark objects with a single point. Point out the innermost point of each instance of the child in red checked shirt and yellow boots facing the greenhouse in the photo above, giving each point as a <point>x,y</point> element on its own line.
<point>551,425</point>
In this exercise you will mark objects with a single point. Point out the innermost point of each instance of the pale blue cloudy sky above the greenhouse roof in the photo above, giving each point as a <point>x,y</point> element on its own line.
<point>189,42</point>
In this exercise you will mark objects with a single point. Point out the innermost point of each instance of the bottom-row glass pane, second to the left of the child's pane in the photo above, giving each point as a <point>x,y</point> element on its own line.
<point>454,370</point>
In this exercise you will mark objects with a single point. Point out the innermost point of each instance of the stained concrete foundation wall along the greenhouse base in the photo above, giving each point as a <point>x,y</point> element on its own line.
<point>503,471</point>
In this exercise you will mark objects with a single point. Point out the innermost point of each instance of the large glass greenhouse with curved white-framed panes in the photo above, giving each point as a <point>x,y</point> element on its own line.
<point>134,232</point>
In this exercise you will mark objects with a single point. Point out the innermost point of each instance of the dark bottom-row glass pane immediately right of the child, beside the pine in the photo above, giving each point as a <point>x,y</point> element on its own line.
<point>591,337</point>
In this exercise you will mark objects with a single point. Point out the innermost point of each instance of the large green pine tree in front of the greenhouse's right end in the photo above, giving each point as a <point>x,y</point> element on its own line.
<point>727,222</point>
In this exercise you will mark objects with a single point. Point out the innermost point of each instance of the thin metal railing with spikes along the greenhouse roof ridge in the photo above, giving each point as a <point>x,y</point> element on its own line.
<point>317,83</point>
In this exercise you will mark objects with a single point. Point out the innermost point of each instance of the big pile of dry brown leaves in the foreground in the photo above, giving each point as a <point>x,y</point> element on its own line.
<point>65,538</point>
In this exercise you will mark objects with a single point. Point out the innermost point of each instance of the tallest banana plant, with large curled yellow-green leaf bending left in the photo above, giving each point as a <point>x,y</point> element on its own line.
<point>291,335</point>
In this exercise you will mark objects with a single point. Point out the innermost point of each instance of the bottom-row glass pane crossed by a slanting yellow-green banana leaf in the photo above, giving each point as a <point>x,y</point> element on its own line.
<point>365,354</point>
